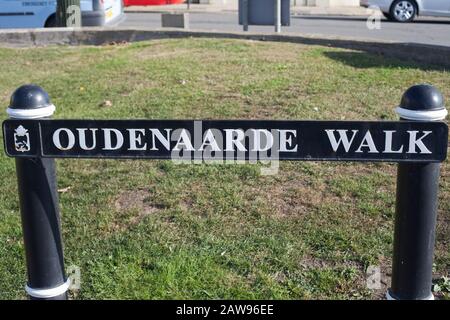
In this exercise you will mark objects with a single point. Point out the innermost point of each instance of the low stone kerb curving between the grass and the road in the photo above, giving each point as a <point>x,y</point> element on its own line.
<point>429,54</point>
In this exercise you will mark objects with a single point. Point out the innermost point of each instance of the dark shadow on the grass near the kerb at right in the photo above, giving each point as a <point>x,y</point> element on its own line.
<point>363,60</point>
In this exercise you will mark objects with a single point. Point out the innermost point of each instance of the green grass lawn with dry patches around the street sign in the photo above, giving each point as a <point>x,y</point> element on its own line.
<point>158,230</point>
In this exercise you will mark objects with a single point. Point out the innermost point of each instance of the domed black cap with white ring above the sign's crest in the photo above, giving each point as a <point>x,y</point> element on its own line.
<point>29,102</point>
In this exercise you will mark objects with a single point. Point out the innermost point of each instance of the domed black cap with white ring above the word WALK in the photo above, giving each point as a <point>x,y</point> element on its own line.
<point>422,102</point>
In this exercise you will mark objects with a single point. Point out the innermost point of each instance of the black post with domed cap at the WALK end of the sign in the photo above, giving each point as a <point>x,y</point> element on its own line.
<point>416,208</point>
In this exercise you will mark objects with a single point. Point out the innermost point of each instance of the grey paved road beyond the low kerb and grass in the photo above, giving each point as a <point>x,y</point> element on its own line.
<point>425,30</point>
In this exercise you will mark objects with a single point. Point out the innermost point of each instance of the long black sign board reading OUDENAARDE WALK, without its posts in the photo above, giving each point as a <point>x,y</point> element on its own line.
<point>395,141</point>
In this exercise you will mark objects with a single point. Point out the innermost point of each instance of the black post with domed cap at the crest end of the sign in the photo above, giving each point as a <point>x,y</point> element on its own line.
<point>39,204</point>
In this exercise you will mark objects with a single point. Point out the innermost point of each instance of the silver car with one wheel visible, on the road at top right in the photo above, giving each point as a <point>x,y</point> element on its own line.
<point>407,10</point>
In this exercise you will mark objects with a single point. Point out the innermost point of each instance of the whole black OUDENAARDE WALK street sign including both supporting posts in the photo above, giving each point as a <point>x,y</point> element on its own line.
<point>418,143</point>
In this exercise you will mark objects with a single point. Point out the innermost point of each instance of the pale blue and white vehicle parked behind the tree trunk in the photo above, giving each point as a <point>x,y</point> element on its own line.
<point>41,13</point>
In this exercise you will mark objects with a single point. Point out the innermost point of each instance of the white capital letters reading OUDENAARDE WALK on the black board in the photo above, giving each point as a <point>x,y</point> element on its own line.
<point>239,140</point>
